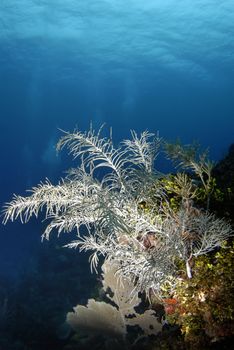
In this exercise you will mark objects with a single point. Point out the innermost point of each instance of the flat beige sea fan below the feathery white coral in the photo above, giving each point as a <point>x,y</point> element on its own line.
<point>113,321</point>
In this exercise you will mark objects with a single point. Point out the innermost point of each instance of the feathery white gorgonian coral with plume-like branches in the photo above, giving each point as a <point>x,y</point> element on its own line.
<point>117,195</point>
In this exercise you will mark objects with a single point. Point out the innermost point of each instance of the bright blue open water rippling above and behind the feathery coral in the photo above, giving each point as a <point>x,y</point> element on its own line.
<point>161,65</point>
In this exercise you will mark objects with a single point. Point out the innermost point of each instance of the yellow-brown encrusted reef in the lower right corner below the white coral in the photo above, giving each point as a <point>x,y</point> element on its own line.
<point>203,307</point>
